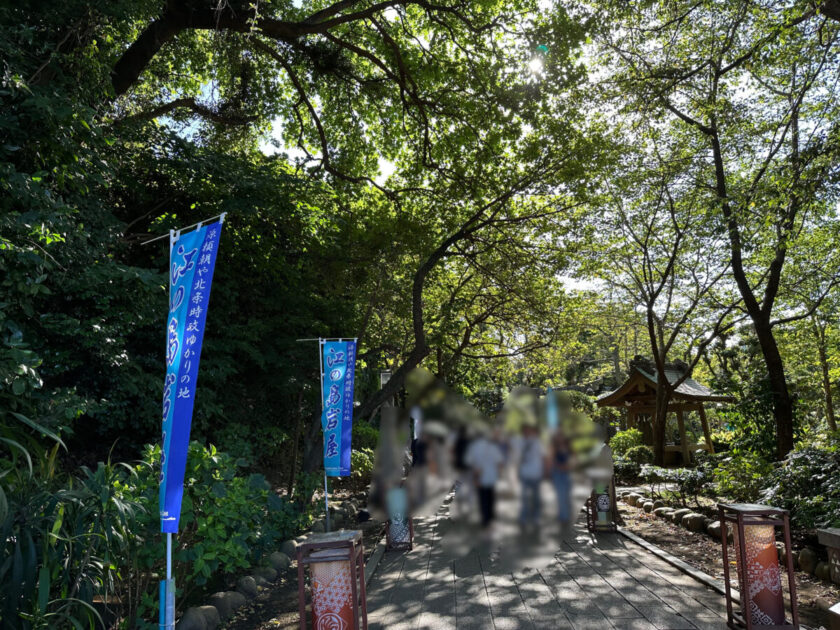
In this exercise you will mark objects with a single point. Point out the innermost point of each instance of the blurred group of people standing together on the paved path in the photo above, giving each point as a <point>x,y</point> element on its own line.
<point>482,461</point>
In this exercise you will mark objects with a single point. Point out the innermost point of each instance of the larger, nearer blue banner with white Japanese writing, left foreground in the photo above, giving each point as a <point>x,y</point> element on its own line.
<point>191,262</point>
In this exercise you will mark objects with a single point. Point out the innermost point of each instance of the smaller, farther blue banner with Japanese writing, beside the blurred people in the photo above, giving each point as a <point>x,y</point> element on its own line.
<point>339,364</point>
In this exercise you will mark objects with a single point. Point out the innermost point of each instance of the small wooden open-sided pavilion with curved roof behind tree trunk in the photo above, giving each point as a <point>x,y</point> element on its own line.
<point>638,396</point>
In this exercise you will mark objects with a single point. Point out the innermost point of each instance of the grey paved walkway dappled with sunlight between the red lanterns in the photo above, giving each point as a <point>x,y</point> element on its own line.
<point>585,582</point>
